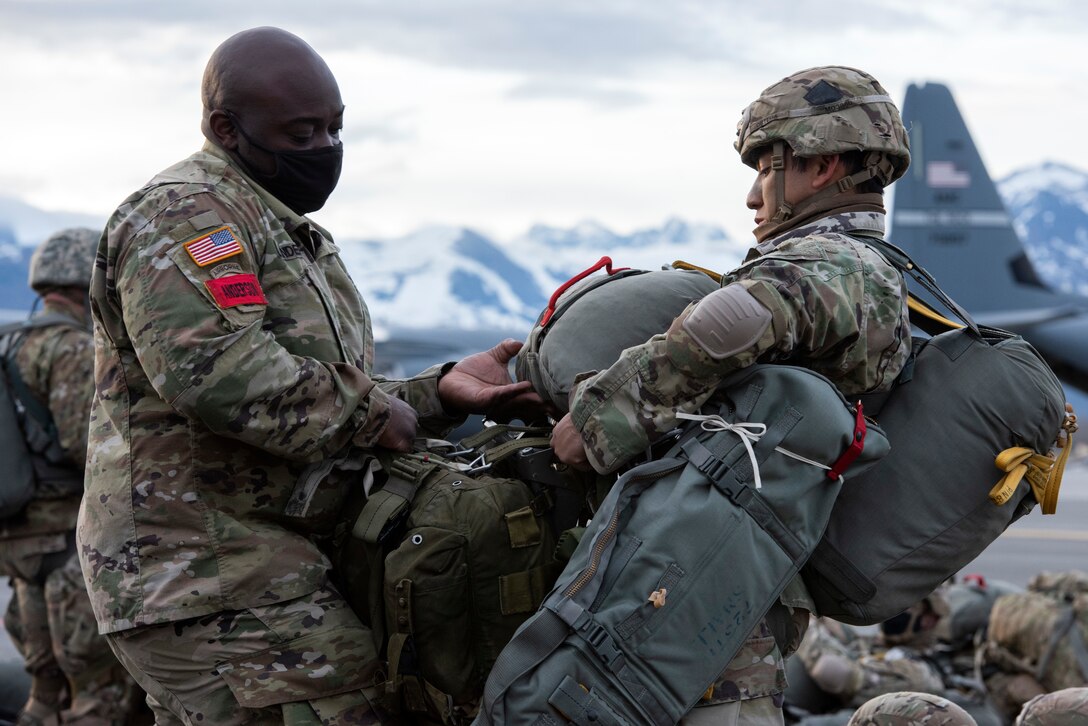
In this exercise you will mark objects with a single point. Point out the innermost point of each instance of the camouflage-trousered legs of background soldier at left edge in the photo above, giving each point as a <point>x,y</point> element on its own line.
<point>75,676</point>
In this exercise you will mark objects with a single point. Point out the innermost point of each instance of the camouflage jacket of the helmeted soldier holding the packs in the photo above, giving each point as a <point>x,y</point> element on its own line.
<point>837,307</point>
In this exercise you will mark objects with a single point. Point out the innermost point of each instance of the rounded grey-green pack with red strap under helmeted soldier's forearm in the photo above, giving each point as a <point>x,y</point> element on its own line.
<point>623,309</point>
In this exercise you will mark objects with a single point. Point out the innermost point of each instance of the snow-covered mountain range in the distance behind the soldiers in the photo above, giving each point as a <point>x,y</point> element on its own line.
<point>456,278</point>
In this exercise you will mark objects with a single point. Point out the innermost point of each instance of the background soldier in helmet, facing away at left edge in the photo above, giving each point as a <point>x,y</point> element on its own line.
<point>52,371</point>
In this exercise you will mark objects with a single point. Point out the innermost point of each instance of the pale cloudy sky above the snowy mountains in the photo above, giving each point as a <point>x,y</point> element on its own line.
<point>503,114</point>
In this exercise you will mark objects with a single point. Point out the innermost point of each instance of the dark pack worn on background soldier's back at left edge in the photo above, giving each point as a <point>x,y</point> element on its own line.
<point>32,452</point>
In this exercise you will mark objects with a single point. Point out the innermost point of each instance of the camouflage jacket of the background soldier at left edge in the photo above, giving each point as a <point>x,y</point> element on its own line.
<point>57,365</point>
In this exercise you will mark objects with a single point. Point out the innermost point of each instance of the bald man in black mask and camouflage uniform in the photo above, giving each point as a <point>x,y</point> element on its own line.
<point>236,411</point>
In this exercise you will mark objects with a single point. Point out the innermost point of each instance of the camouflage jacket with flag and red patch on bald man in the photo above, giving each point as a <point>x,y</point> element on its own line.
<point>233,359</point>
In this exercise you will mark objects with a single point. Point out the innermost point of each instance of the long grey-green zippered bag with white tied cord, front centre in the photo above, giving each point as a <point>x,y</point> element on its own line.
<point>658,598</point>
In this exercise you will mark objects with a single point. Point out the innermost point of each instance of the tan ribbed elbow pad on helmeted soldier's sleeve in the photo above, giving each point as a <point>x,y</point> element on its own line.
<point>727,322</point>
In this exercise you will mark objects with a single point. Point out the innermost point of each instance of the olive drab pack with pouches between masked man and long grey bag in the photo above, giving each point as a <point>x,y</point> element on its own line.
<point>460,543</point>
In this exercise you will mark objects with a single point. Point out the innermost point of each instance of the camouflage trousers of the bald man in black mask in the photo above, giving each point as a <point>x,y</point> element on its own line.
<point>301,662</point>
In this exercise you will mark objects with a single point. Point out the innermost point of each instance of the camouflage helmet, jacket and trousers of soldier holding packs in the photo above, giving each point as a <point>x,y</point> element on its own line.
<point>836,306</point>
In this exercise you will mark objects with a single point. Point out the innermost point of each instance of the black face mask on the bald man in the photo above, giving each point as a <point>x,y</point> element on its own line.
<point>303,180</point>
